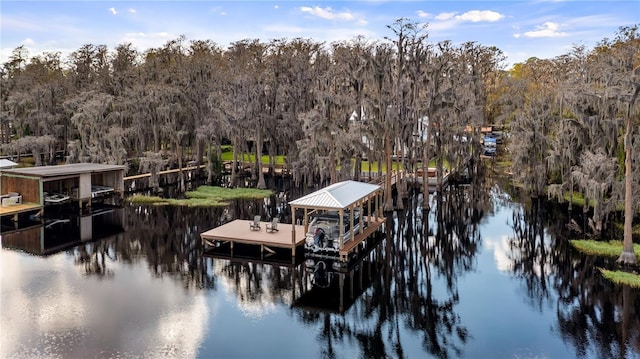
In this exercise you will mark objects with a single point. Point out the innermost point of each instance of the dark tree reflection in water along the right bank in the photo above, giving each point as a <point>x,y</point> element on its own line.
<point>594,315</point>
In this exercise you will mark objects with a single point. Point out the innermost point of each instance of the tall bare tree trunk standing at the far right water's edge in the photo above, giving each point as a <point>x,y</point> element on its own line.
<point>628,256</point>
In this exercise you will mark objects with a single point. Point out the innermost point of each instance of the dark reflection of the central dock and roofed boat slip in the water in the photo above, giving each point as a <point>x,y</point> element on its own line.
<point>313,285</point>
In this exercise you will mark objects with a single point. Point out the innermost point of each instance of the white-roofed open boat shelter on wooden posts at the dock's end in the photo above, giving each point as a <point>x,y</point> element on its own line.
<point>345,197</point>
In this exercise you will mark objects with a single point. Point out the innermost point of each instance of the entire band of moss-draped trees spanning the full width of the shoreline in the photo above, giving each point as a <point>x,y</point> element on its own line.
<point>573,119</point>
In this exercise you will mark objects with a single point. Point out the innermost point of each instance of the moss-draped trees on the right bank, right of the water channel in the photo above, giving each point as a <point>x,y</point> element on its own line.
<point>575,128</point>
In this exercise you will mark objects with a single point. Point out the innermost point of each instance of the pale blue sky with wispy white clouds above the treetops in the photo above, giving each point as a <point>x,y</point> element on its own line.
<point>521,29</point>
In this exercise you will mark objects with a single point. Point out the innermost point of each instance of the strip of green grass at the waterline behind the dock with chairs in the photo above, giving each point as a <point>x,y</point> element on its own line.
<point>204,196</point>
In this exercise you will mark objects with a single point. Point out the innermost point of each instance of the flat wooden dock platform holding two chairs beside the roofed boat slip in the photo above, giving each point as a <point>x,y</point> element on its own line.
<point>239,231</point>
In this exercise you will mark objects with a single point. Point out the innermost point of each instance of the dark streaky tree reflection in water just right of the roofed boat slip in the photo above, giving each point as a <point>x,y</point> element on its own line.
<point>415,256</point>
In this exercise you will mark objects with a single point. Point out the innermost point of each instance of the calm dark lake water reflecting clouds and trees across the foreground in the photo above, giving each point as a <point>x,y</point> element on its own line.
<point>478,277</point>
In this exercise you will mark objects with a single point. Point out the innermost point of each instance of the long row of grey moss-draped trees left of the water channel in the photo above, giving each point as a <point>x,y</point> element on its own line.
<point>310,101</point>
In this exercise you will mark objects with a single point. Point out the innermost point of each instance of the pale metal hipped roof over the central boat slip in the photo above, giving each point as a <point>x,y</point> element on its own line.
<point>337,196</point>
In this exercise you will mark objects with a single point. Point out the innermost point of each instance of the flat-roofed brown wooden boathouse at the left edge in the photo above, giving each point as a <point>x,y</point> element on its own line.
<point>30,188</point>
